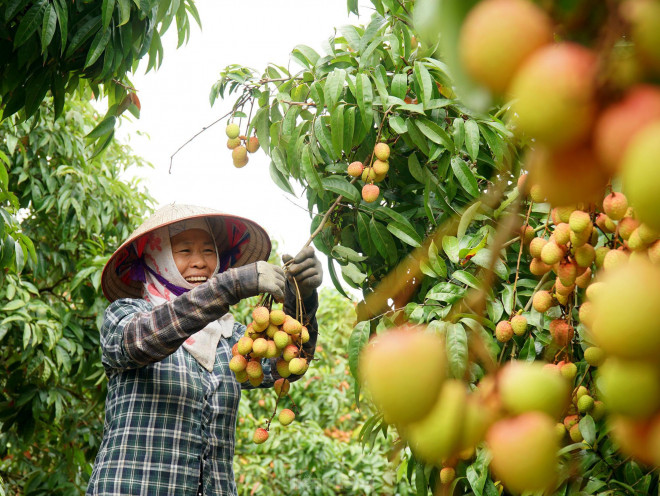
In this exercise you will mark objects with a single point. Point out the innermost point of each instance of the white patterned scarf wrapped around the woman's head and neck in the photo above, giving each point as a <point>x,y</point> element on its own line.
<point>158,256</point>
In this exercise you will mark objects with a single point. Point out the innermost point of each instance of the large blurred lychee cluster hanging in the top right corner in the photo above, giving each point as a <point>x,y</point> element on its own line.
<point>588,123</point>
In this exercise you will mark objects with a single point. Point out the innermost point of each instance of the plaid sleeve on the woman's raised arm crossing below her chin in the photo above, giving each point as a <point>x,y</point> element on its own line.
<point>133,335</point>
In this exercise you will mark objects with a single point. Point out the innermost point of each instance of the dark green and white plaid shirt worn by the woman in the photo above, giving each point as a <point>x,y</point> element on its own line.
<point>166,417</point>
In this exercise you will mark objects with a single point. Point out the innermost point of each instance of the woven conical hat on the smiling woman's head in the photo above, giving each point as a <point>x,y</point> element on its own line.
<point>257,247</point>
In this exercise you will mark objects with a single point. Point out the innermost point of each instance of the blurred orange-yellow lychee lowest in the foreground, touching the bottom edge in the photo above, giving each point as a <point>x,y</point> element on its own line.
<point>524,452</point>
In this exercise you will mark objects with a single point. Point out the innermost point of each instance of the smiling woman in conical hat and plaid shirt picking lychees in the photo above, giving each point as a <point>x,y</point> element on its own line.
<point>166,343</point>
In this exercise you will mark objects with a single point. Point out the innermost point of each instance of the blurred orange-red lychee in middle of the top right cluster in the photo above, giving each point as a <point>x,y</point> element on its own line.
<point>553,94</point>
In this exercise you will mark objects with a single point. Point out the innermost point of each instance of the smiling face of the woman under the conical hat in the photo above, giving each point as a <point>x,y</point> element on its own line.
<point>194,255</point>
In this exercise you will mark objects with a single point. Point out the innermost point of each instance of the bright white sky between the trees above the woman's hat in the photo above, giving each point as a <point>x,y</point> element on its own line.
<point>175,106</point>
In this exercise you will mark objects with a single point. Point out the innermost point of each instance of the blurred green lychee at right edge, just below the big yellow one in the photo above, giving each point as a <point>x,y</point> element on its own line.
<point>630,388</point>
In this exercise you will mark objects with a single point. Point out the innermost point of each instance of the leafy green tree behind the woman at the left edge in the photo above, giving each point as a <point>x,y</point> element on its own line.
<point>76,210</point>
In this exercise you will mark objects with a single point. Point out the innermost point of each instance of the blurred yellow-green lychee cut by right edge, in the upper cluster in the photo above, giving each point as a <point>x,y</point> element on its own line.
<point>640,174</point>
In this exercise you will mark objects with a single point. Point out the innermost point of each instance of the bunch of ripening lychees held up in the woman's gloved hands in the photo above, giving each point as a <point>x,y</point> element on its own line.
<point>271,335</point>
